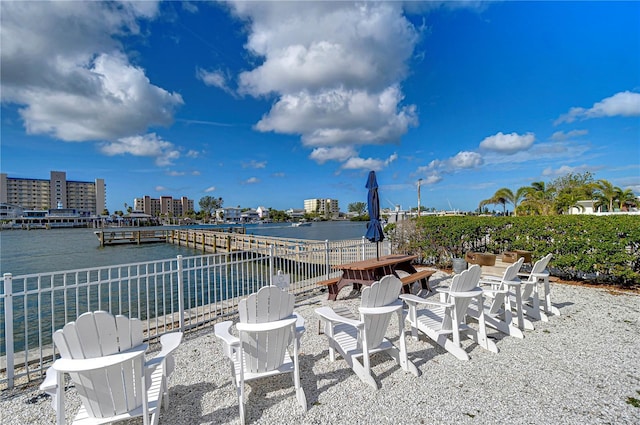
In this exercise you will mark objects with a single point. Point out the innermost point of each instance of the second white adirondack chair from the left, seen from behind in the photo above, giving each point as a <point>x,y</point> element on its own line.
<point>268,327</point>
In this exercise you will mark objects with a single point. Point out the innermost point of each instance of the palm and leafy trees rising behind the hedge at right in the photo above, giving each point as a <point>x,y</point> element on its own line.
<point>562,194</point>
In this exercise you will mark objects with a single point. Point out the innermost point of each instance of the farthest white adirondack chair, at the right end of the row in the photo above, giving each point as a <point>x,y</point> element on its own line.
<point>530,293</point>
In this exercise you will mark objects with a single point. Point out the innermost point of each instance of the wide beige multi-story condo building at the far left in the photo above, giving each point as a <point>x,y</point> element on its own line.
<point>56,192</point>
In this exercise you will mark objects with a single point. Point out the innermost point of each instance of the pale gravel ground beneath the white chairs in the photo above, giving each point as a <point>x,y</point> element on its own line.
<point>582,367</point>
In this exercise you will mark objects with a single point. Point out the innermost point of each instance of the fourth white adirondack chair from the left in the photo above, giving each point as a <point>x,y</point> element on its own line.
<point>445,320</point>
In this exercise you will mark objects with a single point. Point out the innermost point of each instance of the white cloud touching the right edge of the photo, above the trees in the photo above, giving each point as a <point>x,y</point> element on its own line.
<point>625,104</point>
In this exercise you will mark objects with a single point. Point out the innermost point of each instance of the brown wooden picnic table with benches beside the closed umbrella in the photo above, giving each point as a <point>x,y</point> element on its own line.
<point>368,271</point>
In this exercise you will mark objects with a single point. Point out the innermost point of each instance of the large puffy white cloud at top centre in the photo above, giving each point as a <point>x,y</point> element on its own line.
<point>335,68</point>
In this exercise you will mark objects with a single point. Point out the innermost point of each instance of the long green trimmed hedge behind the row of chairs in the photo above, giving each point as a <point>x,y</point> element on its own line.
<point>599,249</point>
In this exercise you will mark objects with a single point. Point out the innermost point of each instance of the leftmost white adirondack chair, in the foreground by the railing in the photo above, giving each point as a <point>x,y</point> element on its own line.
<point>105,358</point>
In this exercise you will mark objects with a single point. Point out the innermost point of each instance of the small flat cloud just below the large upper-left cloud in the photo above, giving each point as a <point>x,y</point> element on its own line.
<point>148,145</point>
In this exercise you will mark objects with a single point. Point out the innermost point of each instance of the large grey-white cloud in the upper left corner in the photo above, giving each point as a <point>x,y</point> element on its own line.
<point>89,91</point>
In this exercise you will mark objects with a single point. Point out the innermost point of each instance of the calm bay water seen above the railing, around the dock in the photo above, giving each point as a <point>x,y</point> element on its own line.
<point>40,251</point>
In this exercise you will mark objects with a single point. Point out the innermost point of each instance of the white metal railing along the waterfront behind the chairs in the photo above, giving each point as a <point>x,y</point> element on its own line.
<point>176,293</point>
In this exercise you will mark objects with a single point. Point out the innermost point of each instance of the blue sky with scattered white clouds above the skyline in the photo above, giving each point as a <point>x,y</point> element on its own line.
<point>271,103</point>
